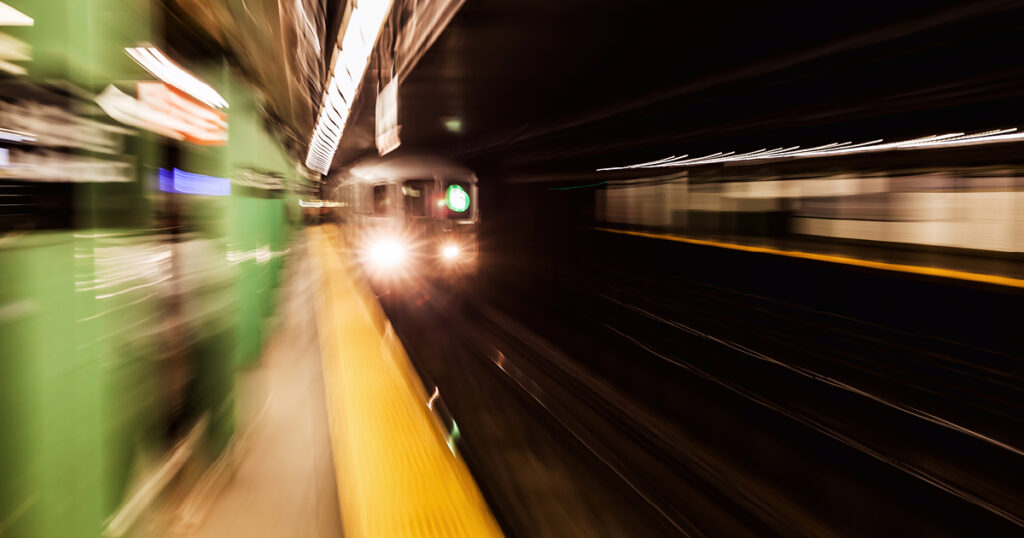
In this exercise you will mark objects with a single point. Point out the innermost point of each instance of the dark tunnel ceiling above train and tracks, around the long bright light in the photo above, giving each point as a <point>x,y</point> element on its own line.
<point>575,86</point>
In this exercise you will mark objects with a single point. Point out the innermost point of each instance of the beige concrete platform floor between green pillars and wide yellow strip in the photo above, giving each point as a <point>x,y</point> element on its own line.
<point>283,481</point>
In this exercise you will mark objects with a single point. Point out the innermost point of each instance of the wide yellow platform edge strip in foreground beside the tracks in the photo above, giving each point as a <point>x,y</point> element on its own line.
<point>396,473</point>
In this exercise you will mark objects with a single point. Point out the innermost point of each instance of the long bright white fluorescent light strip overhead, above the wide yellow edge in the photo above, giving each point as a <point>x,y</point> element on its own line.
<point>358,44</point>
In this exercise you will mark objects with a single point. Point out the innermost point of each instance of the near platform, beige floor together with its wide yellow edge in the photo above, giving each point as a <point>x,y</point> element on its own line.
<point>336,436</point>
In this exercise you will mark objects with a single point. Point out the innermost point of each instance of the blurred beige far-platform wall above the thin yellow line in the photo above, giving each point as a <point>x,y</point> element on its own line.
<point>935,206</point>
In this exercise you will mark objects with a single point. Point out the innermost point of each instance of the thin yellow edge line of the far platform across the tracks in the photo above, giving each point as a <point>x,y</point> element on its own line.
<point>917,270</point>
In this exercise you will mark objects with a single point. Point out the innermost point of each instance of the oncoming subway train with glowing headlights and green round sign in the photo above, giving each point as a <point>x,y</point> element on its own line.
<point>411,218</point>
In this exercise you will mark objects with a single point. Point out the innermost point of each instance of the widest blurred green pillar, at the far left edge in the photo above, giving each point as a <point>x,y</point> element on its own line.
<point>76,399</point>
